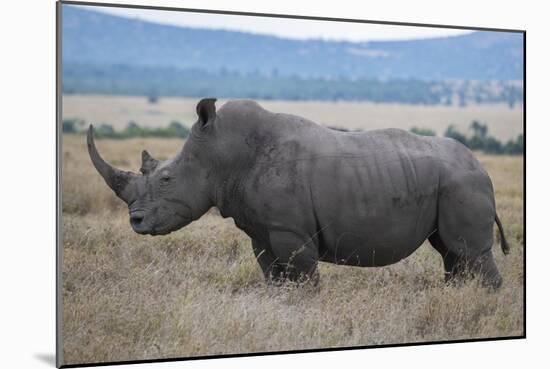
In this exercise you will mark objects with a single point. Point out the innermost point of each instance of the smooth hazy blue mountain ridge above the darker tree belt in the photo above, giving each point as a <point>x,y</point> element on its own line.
<point>97,39</point>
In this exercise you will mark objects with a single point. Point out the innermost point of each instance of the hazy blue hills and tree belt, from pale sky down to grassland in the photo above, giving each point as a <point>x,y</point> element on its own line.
<point>106,54</point>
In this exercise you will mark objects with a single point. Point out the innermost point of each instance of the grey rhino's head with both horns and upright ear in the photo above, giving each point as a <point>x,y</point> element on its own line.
<point>166,195</point>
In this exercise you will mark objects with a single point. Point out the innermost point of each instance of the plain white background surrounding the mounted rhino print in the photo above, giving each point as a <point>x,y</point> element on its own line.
<point>27,192</point>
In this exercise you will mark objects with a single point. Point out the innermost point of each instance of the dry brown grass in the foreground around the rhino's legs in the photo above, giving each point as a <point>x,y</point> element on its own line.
<point>199,291</point>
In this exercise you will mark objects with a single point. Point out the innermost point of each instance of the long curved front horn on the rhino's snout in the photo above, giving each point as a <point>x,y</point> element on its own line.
<point>115,178</point>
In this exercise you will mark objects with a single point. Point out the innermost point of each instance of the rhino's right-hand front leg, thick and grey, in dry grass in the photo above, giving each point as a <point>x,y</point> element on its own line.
<point>297,256</point>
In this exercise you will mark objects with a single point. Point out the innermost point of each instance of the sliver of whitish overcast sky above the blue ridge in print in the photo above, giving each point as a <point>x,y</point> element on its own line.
<point>288,28</point>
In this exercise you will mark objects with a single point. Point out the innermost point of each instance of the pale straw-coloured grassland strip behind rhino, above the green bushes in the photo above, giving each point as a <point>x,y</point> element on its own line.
<point>504,123</point>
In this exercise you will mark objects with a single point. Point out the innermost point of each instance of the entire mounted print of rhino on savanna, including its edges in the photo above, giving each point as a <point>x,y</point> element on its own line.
<point>236,184</point>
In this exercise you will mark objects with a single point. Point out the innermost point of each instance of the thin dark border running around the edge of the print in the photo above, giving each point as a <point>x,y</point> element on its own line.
<point>59,247</point>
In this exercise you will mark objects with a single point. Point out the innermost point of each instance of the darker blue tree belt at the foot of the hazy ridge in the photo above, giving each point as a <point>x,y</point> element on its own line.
<point>164,81</point>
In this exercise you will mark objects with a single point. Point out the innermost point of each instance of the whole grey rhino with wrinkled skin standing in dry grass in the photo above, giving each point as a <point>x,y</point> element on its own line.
<point>305,193</point>
